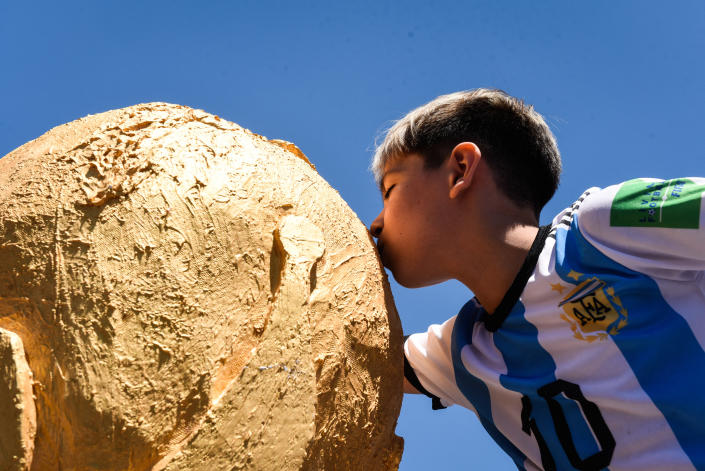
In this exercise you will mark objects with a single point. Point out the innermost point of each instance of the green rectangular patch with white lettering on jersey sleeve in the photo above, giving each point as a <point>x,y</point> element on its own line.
<point>672,203</point>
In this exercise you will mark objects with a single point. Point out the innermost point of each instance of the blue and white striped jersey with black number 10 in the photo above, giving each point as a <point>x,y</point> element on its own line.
<point>595,358</point>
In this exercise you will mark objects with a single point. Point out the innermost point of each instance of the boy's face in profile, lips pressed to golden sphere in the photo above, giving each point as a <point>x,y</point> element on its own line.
<point>410,227</point>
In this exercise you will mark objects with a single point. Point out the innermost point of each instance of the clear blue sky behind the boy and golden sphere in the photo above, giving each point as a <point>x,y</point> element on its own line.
<point>620,83</point>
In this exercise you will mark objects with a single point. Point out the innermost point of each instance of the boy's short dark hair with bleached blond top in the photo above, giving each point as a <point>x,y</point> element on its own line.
<point>515,141</point>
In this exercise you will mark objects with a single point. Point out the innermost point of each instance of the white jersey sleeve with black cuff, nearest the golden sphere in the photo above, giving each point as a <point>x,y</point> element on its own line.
<point>428,363</point>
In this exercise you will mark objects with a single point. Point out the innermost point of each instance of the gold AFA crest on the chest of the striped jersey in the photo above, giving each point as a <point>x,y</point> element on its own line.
<point>593,310</point>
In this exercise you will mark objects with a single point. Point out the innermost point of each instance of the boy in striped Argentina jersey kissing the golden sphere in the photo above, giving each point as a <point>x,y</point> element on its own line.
<point>583,348</point>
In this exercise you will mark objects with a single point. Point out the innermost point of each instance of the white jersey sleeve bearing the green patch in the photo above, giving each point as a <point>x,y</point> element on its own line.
<point>656,227</point>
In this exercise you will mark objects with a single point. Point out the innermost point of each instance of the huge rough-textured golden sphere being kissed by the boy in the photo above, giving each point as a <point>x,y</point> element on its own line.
<point>190,295</point>
